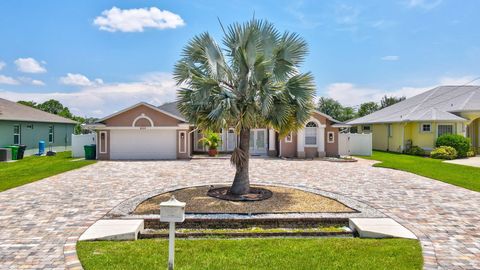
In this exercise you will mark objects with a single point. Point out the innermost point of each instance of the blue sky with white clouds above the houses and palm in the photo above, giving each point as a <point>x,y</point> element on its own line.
<point>98,57</point>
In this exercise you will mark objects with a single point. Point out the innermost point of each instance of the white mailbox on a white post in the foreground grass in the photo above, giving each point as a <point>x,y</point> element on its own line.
<point>172,211</point>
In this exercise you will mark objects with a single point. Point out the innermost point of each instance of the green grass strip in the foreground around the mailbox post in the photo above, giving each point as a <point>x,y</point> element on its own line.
<point>264,253</point>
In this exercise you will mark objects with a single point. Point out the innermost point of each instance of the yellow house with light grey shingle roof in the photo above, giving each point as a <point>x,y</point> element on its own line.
<point>421,119</point>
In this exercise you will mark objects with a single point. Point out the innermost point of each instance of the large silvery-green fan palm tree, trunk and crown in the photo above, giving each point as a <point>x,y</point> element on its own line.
<point>253,81</point>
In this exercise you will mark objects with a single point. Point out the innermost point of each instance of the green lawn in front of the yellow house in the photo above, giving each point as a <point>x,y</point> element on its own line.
<point>463,176</point>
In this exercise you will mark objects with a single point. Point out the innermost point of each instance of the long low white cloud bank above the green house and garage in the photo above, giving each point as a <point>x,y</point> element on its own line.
<point>101,100</point>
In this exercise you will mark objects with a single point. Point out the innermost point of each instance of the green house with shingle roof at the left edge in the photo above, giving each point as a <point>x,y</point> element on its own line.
<point>20,124</point>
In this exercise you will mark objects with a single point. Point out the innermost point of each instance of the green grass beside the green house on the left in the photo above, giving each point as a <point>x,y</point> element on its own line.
<point>34,168</point>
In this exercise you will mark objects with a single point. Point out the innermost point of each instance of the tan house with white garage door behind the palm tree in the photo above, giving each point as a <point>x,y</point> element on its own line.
<point>144,131</point>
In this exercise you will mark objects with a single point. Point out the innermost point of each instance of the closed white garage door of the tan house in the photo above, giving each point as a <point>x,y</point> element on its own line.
<point>143,144</point>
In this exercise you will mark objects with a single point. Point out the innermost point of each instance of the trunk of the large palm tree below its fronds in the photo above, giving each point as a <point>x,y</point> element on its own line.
<point>241,182</point>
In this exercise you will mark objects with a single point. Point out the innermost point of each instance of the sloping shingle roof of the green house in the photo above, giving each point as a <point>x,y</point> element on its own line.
<point>10,110</point>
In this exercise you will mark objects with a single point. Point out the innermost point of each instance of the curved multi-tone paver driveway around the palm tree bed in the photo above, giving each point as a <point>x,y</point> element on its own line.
<point>39,219</point>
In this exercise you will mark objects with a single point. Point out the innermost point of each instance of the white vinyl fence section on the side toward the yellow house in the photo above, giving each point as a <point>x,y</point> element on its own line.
<point>355,144</point>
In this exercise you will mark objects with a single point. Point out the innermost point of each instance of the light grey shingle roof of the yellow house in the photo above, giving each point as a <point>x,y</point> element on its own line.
<point>438,104</point>
